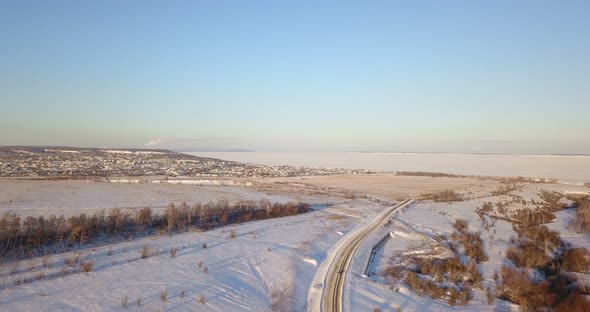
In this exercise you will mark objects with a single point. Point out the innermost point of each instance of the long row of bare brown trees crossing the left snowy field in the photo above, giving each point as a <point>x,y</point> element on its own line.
<point>26,237</point>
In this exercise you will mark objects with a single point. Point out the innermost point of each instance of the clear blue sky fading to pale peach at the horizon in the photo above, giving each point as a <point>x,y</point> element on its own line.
<point>448,76</point>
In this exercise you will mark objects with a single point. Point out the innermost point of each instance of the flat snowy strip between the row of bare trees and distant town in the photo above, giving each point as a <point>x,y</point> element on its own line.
<point>36,198</point>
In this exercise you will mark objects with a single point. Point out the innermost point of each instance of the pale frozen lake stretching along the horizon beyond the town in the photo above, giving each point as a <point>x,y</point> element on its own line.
<point>566,168</point>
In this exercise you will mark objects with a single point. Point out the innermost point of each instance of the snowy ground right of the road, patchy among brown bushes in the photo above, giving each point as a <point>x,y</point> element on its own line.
<point>414,227</point>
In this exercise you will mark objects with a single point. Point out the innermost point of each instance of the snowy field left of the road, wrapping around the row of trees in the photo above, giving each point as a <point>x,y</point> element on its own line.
<point>268,266</point>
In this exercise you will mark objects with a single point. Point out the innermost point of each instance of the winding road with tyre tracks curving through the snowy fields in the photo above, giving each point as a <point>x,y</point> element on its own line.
<point>334,283</point>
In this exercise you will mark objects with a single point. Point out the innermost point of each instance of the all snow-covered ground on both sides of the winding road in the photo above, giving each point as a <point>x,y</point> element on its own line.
<point>271,265</point>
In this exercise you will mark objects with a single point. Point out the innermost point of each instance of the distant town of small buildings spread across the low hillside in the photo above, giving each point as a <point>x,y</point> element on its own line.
<point>67,162</point>
